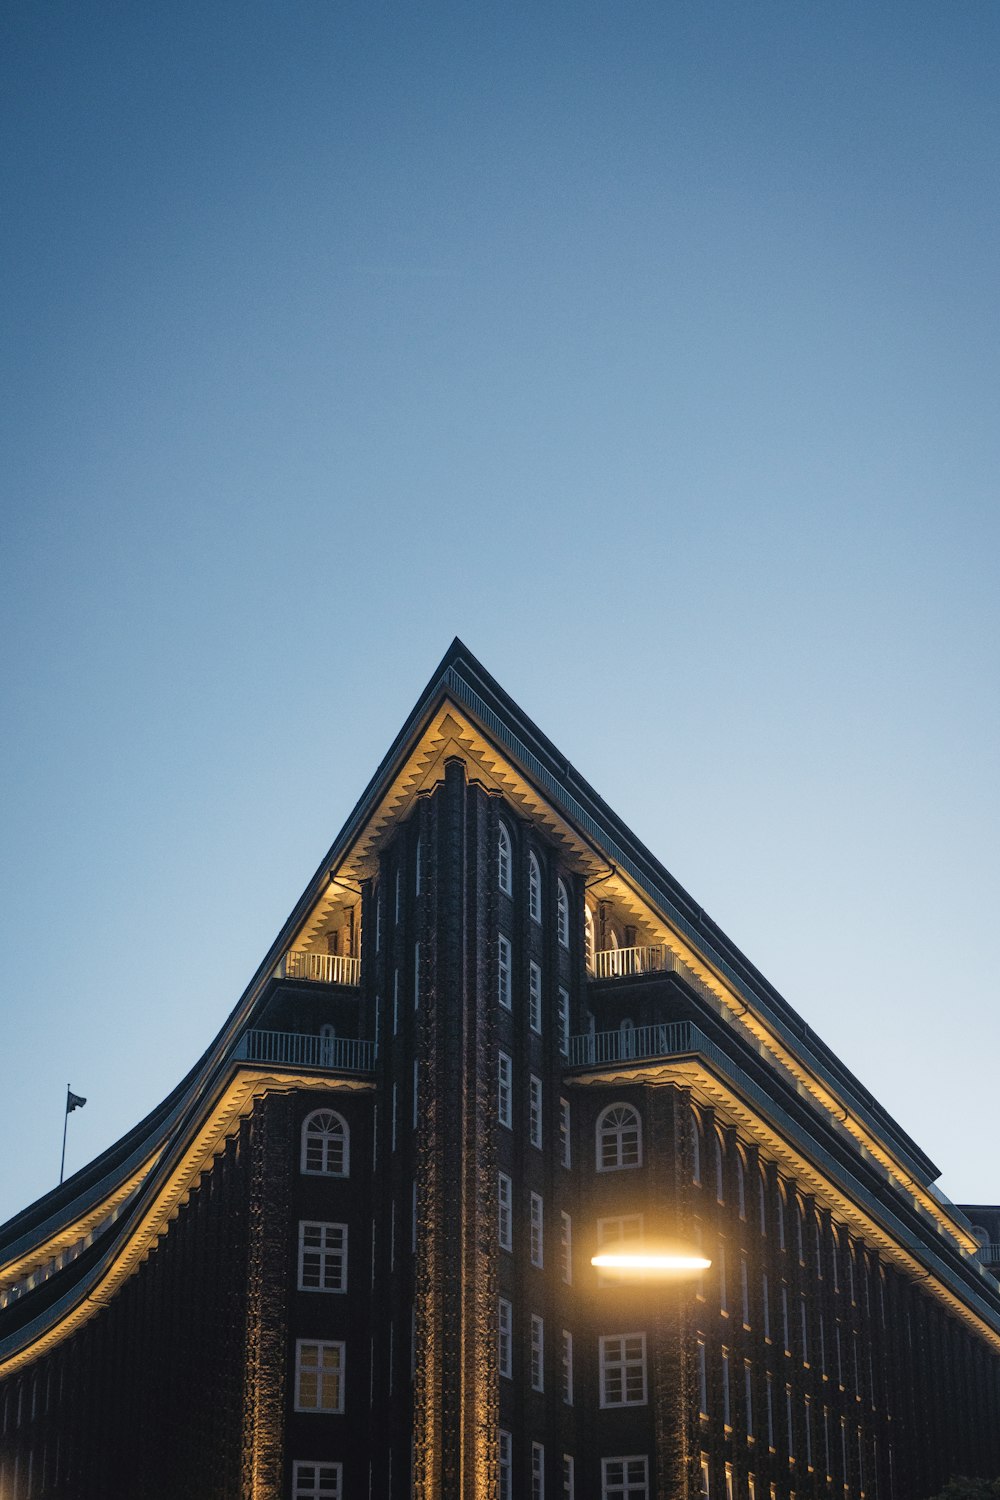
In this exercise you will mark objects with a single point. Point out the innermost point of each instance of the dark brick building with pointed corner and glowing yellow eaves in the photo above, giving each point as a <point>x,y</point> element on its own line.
<point>352,1253</point>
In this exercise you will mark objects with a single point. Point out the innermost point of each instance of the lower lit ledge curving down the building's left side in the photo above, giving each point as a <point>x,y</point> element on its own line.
<point>166,1193</point>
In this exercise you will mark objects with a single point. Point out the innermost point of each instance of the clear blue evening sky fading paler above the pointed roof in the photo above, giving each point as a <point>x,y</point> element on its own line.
<point>648,347</point>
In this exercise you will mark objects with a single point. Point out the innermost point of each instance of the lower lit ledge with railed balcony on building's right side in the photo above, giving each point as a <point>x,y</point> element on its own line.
<point>680,1054</point>
